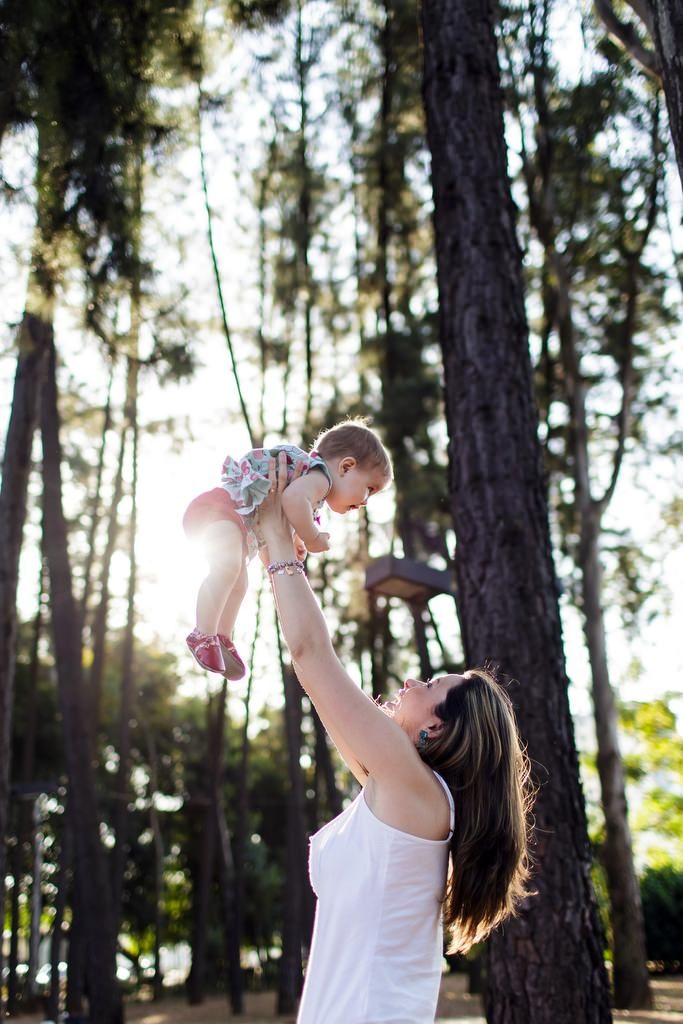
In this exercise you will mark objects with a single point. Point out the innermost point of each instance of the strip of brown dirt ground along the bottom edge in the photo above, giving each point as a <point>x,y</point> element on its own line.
<point>456,1007</point>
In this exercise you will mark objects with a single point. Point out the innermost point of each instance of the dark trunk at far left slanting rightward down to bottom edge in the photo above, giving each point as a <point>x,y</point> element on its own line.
<point>91,872</point>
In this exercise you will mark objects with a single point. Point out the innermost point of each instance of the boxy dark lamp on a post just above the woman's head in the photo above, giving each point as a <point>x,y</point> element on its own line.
<point>415,583</point>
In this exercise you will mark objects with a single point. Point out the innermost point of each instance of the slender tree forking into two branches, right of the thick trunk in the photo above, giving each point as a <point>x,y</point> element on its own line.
<point>631,980</point>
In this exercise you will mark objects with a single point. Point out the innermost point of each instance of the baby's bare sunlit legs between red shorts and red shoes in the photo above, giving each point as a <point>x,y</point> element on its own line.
<point>225,550</point>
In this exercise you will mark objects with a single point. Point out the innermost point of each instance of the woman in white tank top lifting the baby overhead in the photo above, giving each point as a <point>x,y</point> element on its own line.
<point>440,830</point>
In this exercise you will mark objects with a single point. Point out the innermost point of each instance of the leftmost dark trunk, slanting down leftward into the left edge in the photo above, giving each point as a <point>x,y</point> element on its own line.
<point>34,340</point>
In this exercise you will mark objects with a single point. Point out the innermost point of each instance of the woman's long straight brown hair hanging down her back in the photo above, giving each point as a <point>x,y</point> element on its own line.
<point>480,755</point>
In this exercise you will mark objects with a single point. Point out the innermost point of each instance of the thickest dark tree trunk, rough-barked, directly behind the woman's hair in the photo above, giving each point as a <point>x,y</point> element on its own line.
<point>548,963</point>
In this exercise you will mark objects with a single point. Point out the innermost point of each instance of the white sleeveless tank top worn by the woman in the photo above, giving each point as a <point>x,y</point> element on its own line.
<point>377,951</point>
